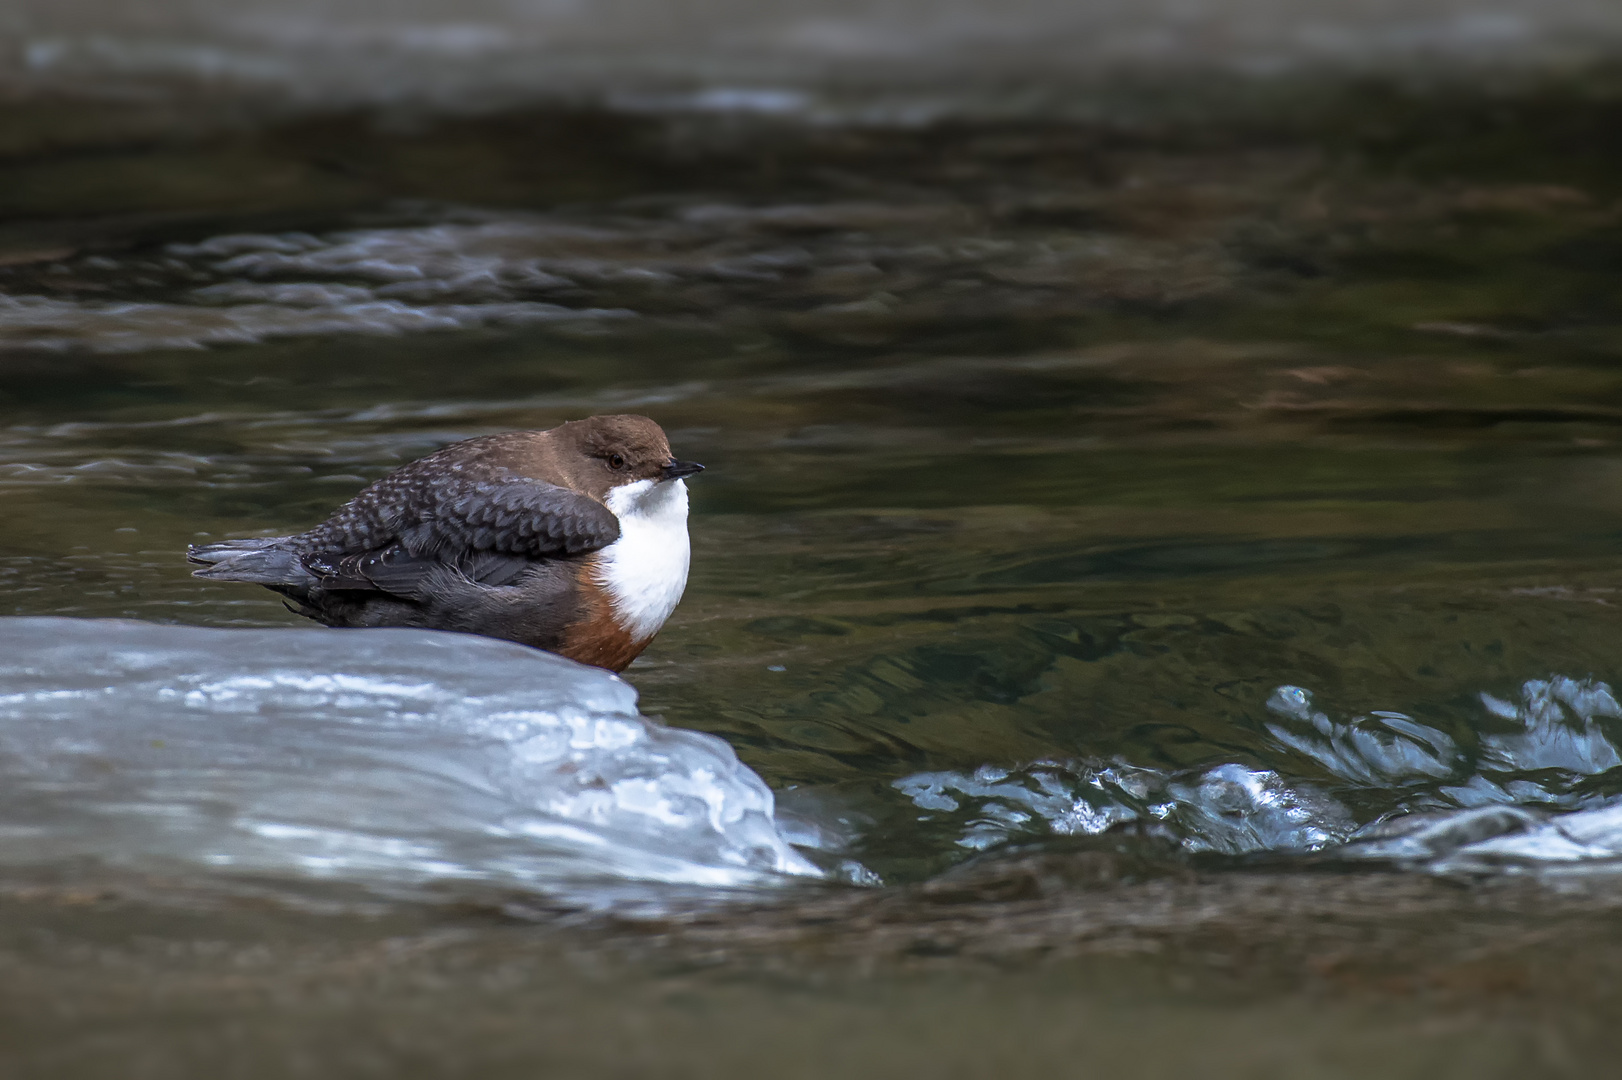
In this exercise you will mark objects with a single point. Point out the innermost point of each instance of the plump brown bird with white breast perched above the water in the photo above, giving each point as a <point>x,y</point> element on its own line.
<point>573,541</point>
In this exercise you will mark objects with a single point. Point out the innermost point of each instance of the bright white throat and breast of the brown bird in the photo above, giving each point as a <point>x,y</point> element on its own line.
<point>646,568</point>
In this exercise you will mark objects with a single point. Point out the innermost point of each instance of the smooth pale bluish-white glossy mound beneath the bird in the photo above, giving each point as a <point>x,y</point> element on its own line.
<point>403,763</point>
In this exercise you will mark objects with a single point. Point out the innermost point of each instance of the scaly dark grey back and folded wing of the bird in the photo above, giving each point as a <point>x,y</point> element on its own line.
<point>413,526</point>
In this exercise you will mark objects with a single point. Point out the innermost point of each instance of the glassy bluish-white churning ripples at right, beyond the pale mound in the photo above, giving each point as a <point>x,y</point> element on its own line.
<point>1529,789</point>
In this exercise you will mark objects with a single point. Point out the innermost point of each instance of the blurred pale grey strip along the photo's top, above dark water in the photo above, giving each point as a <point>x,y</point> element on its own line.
<point>479,49</point>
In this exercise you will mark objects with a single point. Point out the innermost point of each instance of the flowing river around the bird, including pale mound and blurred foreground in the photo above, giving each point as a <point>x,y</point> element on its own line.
<point>1157,573</point>
